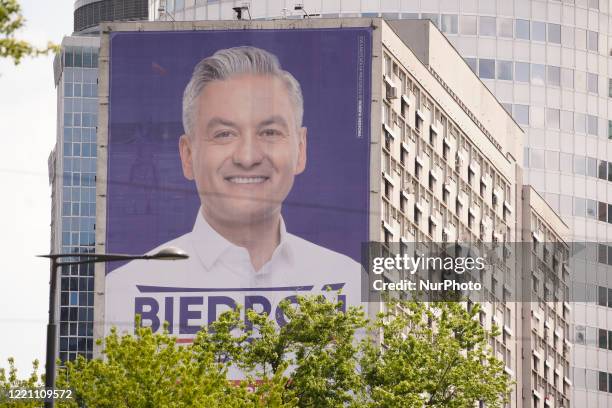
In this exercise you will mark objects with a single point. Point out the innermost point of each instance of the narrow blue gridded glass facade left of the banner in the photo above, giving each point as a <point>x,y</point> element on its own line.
<point>78,92</point>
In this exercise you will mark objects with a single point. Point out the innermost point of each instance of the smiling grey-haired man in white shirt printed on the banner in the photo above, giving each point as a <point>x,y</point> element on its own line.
<point>244,143</point>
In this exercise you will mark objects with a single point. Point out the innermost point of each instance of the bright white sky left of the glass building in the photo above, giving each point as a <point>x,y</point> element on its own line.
<point>28,125</point>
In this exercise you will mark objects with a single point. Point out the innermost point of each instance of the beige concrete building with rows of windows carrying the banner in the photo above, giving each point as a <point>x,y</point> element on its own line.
<point>445,166</point>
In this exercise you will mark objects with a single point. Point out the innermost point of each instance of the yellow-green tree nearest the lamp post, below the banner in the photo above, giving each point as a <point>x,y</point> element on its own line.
<point>151,370</point>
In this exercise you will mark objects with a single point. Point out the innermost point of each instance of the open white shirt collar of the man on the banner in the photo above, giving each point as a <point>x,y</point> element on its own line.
<point>209,245</point>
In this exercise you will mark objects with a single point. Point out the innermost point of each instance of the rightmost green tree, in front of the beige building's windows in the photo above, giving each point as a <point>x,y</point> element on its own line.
<point>434,355</point>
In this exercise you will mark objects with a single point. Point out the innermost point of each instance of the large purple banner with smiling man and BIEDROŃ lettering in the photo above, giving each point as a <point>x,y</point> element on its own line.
<point>247,149</point>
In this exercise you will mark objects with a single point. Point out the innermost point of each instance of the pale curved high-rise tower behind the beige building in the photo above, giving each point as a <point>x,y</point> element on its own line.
<point>548,63</point>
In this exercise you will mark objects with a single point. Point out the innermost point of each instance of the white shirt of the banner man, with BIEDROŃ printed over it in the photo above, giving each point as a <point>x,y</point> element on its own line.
<point>218,274</point>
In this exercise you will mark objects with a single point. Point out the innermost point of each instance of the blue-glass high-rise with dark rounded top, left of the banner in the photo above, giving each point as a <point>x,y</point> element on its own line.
<point>72,166</point>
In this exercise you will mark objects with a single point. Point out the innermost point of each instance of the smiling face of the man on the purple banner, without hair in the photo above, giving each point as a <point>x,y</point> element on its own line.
<point>246,148</point>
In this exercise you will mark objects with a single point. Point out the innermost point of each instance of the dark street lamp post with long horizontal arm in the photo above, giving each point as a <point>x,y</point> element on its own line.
<point>164,254</point>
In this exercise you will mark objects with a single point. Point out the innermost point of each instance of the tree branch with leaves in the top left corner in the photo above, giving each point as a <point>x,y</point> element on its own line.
<point>11,20</point>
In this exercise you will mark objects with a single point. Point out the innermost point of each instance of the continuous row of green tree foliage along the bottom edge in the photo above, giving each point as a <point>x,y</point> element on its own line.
<point>413,355</point>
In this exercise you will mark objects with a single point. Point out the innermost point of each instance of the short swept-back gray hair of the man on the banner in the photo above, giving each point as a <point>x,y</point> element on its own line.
<point>226,63</point>
